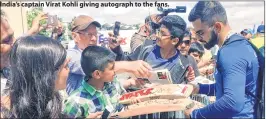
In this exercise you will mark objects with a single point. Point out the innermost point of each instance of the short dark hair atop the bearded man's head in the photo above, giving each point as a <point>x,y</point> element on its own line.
<point>208,12</point>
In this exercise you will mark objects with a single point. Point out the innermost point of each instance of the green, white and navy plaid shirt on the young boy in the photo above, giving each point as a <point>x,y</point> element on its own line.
<point>86,99</point>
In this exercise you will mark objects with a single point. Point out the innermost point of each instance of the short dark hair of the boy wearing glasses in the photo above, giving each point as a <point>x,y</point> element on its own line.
<point>176,25</point>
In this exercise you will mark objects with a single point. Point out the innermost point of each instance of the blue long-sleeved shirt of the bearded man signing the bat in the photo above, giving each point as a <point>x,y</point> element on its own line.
<point>237,66</point>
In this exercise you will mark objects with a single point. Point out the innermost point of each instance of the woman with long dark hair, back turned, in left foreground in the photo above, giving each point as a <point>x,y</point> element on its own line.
<point>38,71</point>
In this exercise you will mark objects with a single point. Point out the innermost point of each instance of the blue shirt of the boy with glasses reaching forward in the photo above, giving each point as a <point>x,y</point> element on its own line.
<point>150,53</point>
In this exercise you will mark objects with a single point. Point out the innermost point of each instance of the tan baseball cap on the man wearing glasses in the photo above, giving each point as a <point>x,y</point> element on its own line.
<point>82,22</point>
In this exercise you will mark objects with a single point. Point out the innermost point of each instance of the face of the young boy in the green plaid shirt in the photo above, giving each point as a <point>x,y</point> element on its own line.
<point>108,74</point>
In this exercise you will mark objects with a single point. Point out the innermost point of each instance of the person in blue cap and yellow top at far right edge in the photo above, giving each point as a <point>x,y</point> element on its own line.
<point>258,41</point>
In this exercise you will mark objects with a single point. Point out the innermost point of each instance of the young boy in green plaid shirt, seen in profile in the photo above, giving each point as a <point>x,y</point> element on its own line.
<point>100,89</point>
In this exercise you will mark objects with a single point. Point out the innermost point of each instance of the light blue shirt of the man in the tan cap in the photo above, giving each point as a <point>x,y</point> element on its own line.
<point>76,74</point>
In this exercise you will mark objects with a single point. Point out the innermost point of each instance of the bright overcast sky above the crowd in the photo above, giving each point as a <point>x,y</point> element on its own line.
<point>241,15</point>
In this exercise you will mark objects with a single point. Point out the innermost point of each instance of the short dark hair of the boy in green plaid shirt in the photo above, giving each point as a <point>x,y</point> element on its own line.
<point>95,58</point>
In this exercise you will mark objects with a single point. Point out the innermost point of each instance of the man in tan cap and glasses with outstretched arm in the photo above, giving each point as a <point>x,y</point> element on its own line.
<point>85,34</point>
